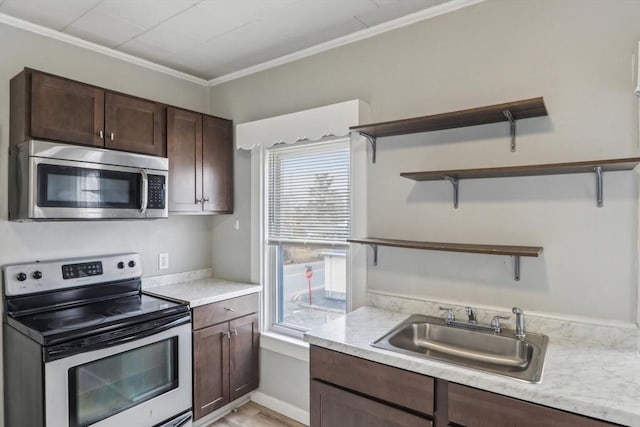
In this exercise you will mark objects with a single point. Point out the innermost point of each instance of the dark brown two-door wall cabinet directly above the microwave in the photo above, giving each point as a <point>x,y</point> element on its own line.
<point>48,107</point>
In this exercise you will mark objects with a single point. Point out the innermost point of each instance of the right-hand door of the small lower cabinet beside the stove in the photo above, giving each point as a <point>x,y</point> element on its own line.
<point>243,355</point>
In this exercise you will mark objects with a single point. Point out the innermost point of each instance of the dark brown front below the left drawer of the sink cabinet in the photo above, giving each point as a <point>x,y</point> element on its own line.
<point>331,406</point>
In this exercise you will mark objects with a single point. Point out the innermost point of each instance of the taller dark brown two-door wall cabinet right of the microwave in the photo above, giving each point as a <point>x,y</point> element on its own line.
<point>200,151</point>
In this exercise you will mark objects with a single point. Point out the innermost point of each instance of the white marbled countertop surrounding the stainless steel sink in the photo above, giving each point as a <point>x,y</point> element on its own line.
<point>589,379</point>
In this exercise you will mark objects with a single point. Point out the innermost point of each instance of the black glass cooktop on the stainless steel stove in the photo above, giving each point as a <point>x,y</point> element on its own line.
<point>58,325</point>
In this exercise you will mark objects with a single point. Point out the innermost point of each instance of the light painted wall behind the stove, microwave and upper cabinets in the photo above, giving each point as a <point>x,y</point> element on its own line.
<point>186,239</point>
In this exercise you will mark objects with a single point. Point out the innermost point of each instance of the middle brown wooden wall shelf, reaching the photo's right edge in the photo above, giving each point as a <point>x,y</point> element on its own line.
<point>608,165</point>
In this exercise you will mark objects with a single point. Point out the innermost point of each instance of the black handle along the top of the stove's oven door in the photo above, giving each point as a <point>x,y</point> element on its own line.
<point>135,332</point>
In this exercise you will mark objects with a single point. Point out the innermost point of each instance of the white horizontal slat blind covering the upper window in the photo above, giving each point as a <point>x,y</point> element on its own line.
<point>308,193</point>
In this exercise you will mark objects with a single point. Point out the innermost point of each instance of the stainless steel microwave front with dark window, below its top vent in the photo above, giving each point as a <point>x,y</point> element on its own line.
<point>66,189</point>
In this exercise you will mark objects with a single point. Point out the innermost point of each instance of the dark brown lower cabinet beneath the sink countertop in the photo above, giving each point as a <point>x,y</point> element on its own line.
<point>348,391</point>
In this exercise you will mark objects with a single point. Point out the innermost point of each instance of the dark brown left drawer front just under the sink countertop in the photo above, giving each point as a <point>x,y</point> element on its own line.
<point>393,385</point>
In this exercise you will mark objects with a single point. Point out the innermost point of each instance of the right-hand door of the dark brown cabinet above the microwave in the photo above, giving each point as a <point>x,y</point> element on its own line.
<point>134,124</point>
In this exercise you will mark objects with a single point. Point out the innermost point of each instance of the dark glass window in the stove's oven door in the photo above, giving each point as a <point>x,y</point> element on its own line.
<point>111,385</point>
